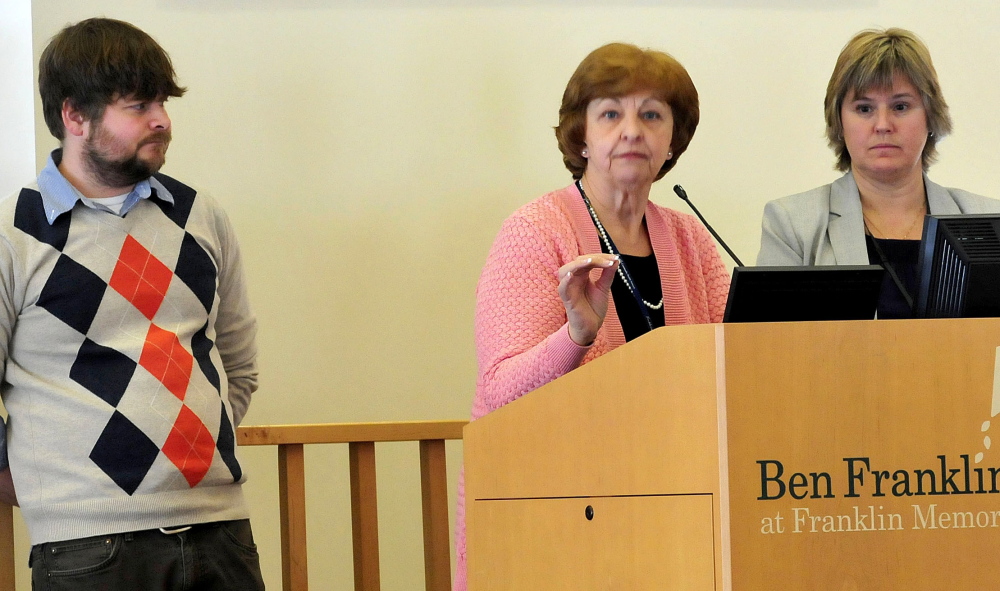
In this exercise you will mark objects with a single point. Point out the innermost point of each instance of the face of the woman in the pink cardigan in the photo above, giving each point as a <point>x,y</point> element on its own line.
<point>628,139</point>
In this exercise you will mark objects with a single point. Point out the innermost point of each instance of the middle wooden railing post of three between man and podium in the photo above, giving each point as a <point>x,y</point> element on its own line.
<point>364,516</point>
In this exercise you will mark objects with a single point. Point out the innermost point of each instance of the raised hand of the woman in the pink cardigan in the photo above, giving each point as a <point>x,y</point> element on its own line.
<point>586,300</point>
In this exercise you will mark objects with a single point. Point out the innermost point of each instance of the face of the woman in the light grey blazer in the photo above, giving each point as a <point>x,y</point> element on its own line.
<point>885,131</point>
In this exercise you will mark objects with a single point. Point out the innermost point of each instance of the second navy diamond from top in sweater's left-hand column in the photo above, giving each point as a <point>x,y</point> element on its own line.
<point>72,293</point>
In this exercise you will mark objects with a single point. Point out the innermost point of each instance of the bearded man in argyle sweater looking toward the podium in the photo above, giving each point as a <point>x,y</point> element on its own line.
<point>127,344</point>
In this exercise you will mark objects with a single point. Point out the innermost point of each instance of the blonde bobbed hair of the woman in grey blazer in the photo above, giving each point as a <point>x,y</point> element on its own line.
<point>870,61</point>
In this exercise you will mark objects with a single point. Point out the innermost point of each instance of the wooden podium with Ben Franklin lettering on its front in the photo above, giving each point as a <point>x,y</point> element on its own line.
<point>813,456</point>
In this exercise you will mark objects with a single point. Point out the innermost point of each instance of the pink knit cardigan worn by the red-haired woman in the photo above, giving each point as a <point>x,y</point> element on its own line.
<point>522,339</point>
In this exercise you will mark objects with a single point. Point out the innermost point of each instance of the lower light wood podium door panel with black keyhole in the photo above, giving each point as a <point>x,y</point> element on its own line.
<point>621,547</point>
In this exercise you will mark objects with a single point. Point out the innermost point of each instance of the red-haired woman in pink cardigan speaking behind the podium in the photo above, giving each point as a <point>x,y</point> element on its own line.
<point>582,270</point>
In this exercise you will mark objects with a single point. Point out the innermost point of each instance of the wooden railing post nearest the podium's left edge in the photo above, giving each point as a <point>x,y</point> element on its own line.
<point>434,492</point>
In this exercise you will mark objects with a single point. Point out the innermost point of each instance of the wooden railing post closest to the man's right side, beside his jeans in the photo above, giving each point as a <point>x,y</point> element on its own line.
<point>292,498</point>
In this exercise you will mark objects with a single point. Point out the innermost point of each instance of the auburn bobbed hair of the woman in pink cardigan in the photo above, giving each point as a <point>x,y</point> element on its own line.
<point>616,70</point>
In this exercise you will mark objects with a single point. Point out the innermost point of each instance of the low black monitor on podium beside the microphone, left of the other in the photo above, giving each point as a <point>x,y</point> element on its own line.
<point>779,294</point>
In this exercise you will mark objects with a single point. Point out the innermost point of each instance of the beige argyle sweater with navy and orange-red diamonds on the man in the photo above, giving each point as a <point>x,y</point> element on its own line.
<point>128,357</point>
